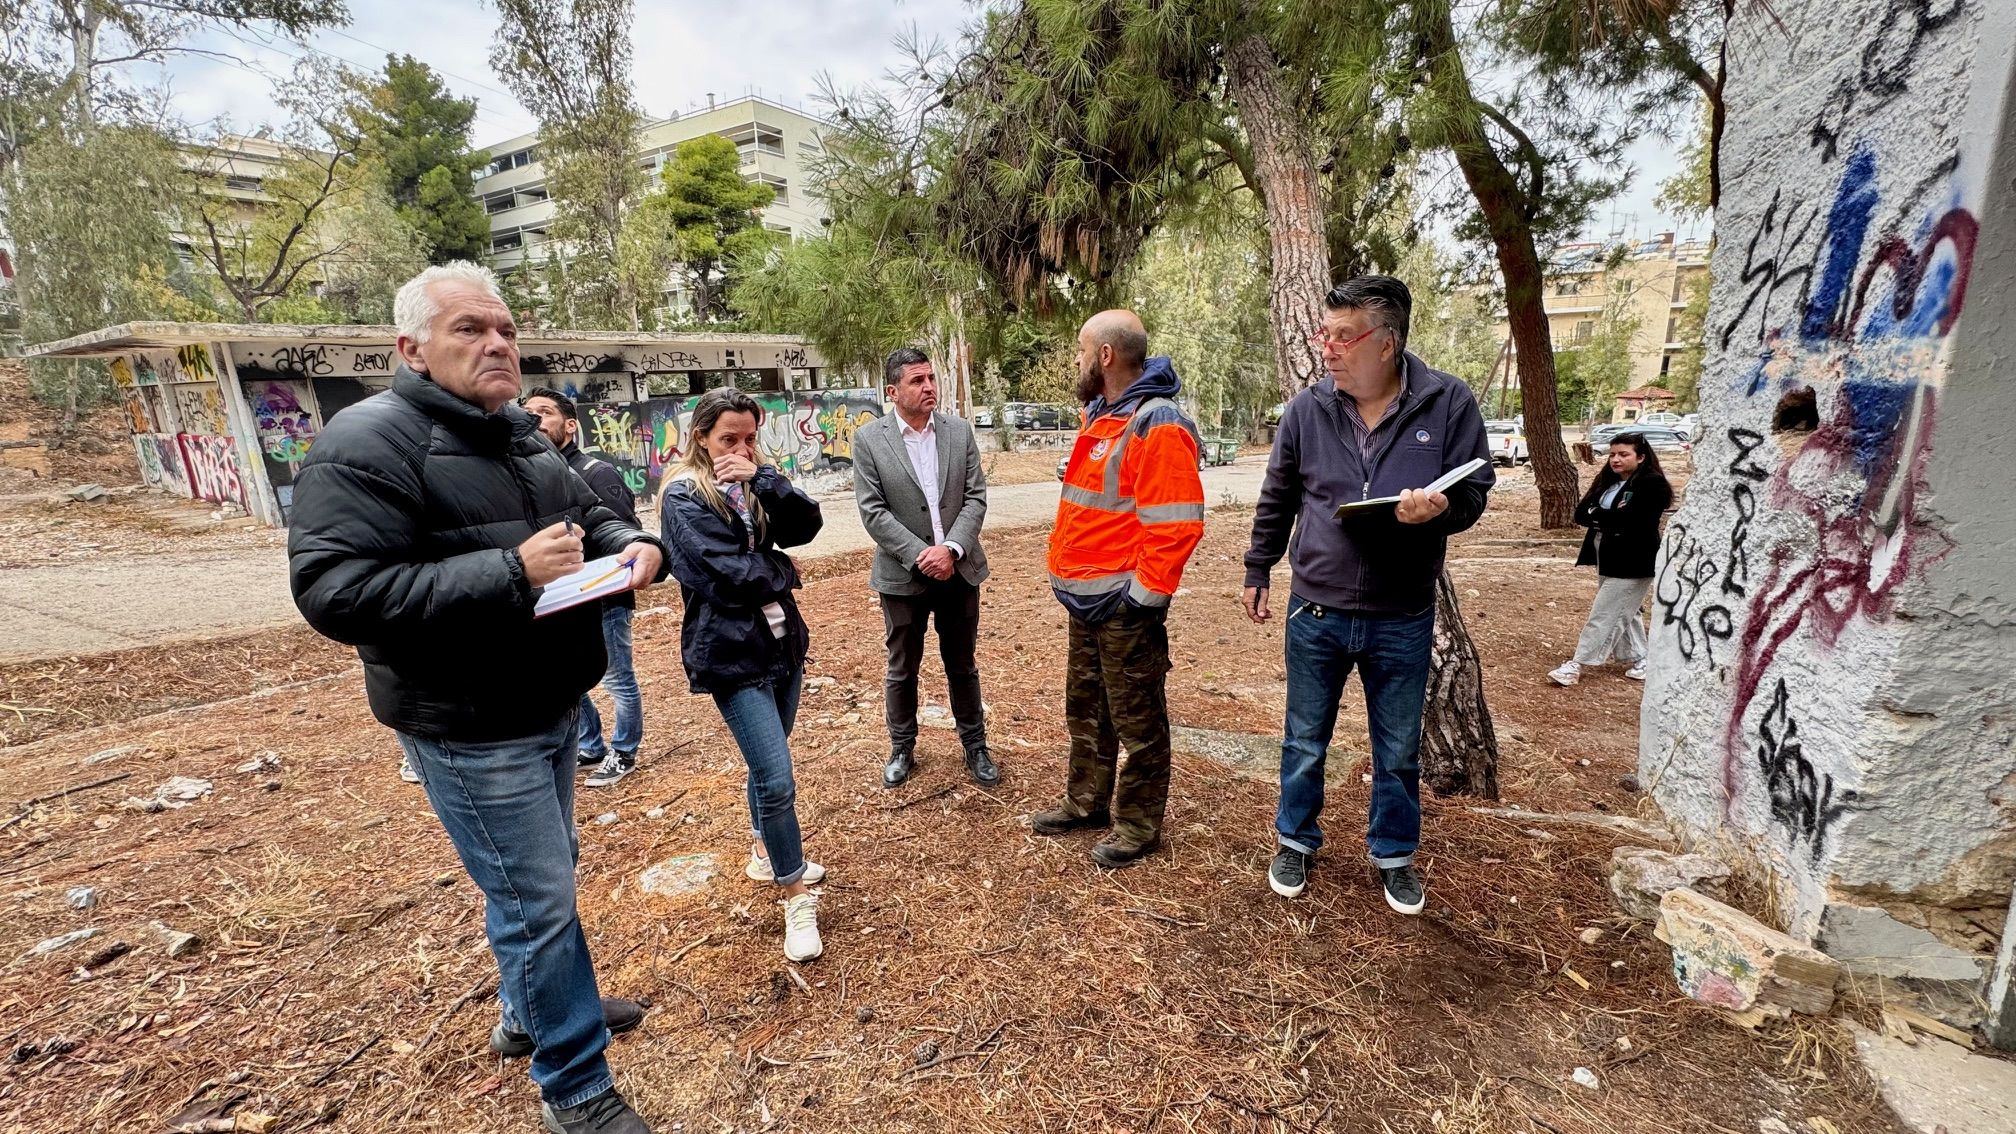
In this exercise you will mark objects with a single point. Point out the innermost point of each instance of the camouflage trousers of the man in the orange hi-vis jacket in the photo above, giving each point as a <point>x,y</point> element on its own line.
<point>1114,697</point>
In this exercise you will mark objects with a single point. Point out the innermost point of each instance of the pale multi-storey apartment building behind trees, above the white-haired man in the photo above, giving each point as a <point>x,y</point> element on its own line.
<point>777,144</point>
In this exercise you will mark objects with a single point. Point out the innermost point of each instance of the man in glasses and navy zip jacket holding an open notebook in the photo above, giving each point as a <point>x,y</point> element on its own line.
<point>1364,588</point>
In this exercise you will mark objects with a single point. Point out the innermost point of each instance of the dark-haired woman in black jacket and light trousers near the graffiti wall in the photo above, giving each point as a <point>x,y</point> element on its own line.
<point>1622,514</point>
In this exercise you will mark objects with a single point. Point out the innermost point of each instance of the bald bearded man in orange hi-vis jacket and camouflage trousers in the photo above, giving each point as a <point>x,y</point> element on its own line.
<point>1132,514</point>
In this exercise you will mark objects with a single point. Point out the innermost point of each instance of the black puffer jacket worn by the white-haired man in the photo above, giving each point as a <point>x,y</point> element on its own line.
<point>408,514</point>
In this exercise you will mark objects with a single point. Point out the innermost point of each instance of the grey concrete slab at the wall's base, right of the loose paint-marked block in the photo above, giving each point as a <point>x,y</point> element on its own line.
<point>1906,961</point>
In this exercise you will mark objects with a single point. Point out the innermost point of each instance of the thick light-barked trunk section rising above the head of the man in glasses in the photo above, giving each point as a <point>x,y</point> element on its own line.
<point>1285,166</point>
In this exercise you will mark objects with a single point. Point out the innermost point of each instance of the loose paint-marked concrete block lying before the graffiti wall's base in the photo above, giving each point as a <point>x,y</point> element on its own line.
<point>1729,959</point>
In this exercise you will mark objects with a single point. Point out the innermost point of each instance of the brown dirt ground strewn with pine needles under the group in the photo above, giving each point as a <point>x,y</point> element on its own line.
<point>977,978</point>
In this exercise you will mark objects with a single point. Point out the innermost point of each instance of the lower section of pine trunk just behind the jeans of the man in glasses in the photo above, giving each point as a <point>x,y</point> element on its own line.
<point>1459,744</point>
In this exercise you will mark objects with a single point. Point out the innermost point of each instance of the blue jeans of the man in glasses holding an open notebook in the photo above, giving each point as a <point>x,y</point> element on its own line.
<point>1392,655</point>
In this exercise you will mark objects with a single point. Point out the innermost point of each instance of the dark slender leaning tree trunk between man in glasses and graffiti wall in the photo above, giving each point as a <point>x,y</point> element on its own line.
<point>1507,215</point>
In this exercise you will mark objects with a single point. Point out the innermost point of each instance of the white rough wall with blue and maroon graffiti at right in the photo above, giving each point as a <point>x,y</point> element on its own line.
<point>1832,637</point>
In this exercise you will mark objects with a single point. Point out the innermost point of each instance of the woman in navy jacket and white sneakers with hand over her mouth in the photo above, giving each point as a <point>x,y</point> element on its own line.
<point>725,520</point>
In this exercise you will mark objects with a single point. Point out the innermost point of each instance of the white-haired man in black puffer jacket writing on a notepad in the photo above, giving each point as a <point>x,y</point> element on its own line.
<point>426,524</point>
